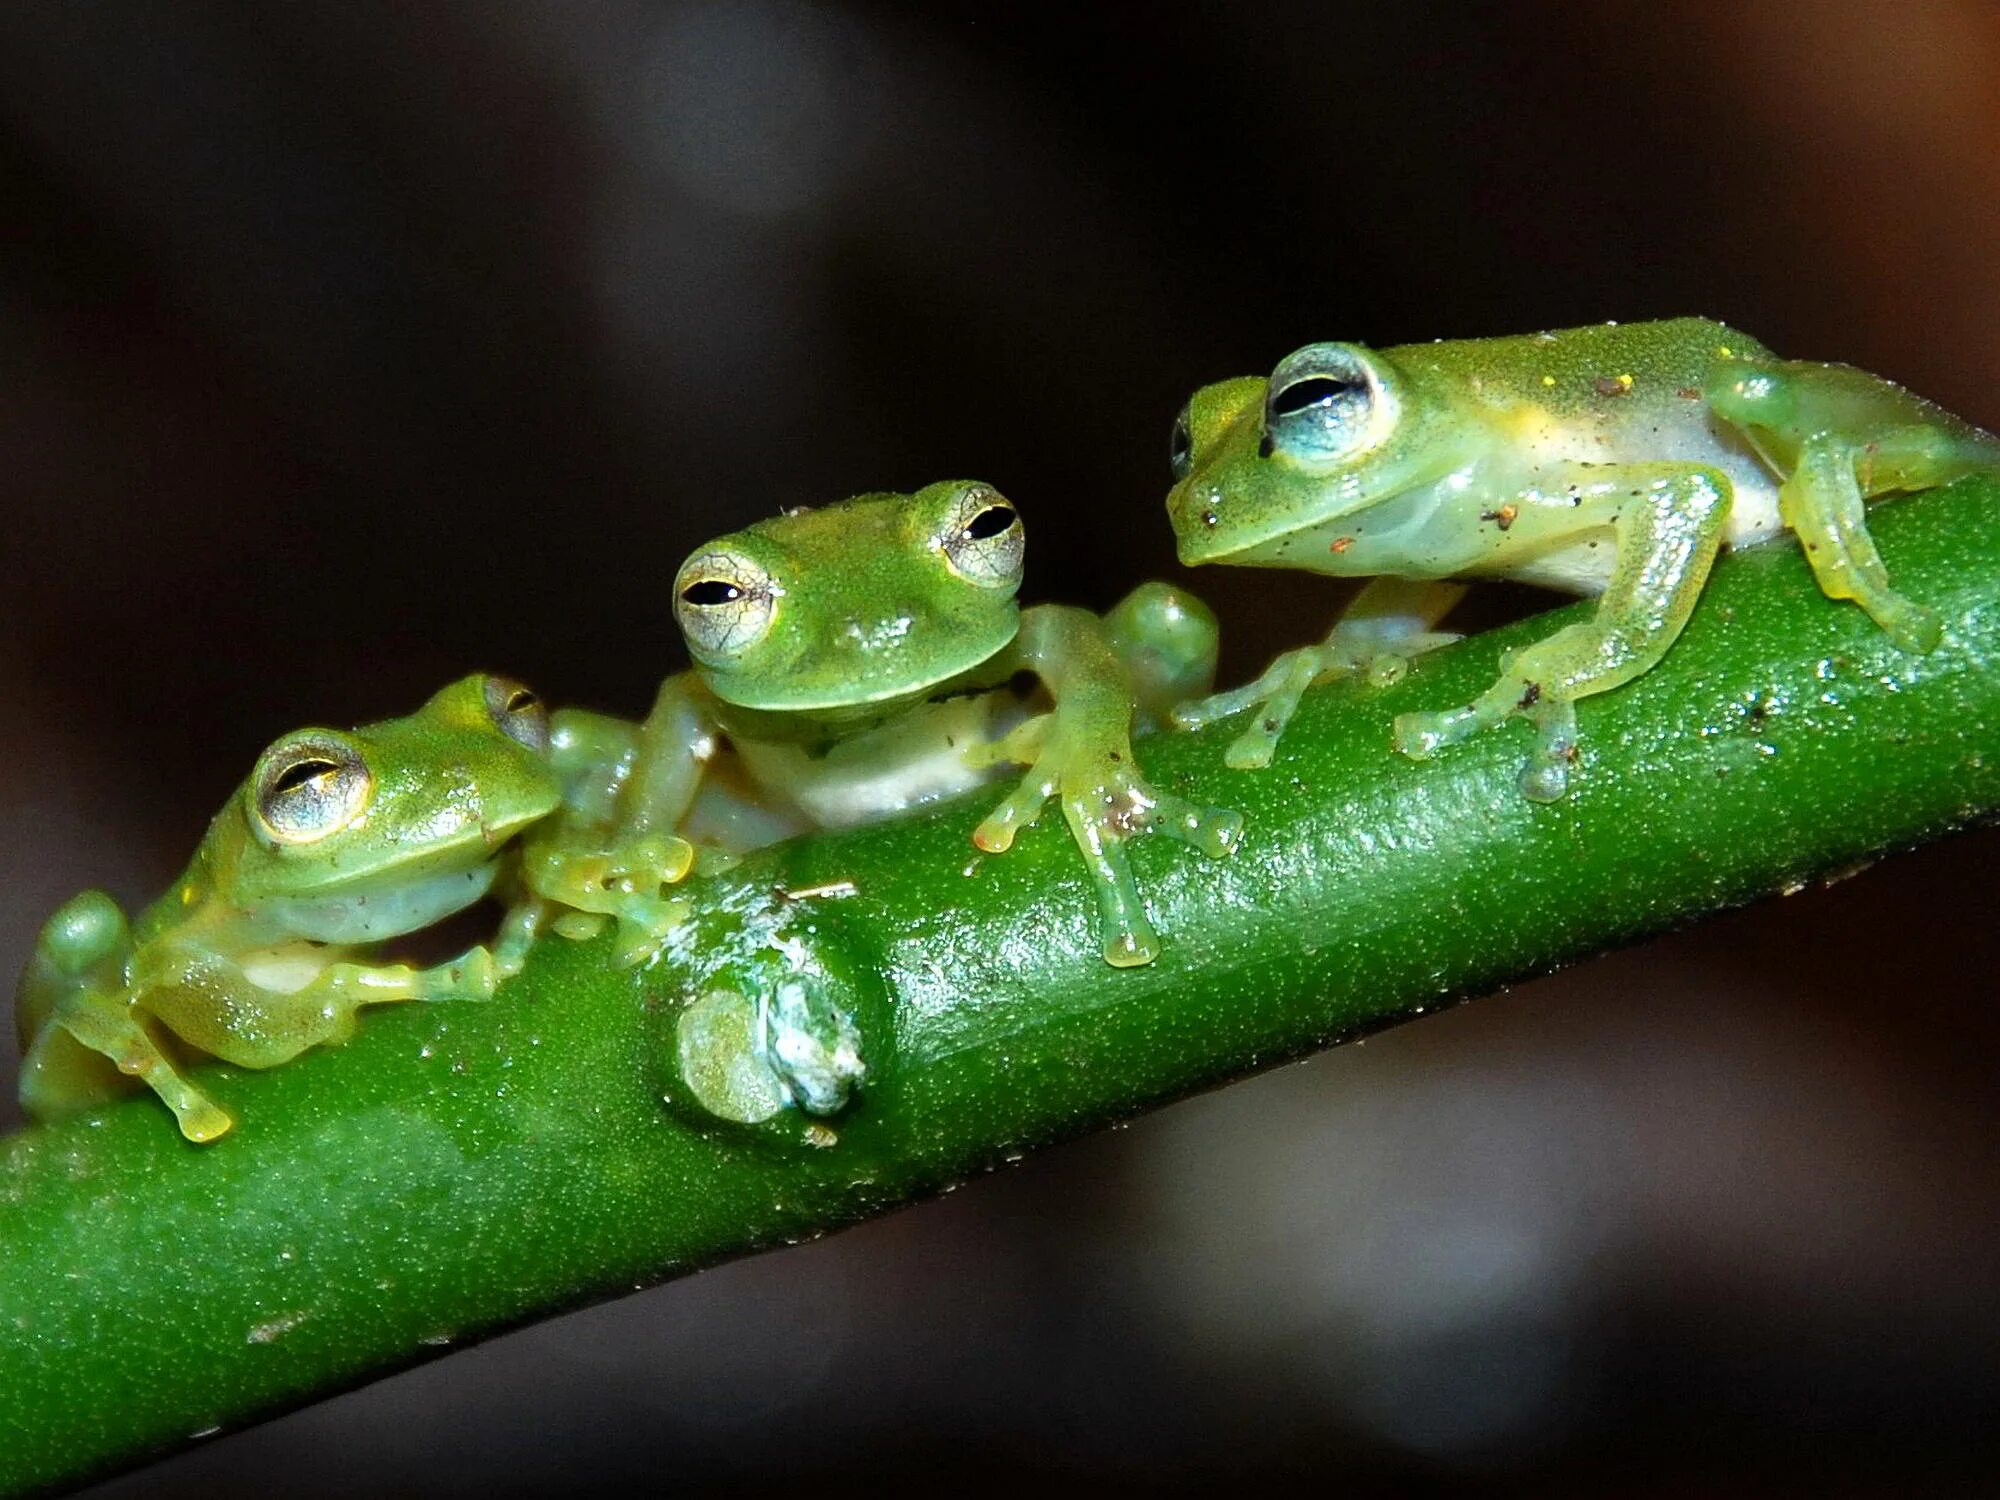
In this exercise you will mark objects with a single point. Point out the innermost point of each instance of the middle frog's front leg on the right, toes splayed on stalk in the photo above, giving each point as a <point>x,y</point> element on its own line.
<point>1081,753</point>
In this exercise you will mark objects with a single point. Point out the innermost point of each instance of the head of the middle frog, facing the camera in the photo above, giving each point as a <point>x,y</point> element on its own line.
<point>859,605</point>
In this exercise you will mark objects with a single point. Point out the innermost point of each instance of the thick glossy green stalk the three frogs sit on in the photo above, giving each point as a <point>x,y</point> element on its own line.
<point>463,1167</point>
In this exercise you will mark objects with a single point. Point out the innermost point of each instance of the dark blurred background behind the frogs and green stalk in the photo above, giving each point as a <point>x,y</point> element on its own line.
<point>349,347</point>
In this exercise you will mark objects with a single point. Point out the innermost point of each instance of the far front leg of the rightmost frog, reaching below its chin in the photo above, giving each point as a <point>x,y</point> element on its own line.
<point>1387,623</point>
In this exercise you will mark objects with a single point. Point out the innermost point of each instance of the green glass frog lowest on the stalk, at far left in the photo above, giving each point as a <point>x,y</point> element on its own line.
<point>339,841</point>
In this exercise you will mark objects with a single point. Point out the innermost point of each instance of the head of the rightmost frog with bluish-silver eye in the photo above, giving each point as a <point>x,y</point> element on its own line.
<point>1257,461</point>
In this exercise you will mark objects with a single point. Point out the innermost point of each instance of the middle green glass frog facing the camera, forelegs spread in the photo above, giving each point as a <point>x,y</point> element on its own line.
<point>851,665</point>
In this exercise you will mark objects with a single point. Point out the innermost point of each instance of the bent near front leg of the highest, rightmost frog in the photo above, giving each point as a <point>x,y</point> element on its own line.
<point>1667,527</point>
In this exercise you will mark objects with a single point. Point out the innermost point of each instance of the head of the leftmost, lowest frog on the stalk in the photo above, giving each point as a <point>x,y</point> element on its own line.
<point>371,833</point>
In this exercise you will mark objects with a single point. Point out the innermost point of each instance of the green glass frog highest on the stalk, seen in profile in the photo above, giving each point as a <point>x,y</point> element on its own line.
<point>1607,461</point>
